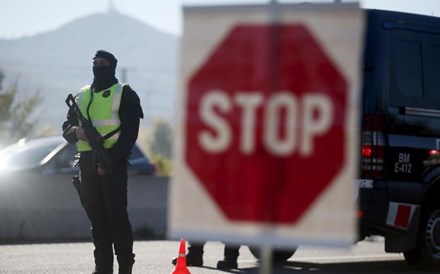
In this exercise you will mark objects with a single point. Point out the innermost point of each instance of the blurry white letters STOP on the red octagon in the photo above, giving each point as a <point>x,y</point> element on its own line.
<point>312,113</point>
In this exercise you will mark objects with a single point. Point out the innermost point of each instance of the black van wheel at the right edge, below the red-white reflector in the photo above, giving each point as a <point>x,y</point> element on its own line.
<point>426,254</point>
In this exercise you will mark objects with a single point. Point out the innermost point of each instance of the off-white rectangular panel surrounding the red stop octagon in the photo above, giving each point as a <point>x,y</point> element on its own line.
<point>210,223</point>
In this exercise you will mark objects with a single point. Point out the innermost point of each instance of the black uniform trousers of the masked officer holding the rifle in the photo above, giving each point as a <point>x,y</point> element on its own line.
<point>105,202</point>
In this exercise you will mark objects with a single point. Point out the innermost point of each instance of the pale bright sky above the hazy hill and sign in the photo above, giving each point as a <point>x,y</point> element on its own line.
<point>20,18</point>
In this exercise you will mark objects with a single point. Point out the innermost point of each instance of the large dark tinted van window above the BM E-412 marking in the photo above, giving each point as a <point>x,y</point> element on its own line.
<point>414,68</point>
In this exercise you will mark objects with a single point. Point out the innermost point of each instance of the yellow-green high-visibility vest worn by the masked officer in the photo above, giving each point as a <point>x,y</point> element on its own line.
<point>103,111</point>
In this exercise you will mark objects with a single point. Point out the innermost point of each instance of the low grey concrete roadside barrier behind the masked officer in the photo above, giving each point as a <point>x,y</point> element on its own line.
<point>51,210</point>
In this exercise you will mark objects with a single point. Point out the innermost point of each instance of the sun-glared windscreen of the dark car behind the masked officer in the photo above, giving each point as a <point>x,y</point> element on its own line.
<point>24,155</point>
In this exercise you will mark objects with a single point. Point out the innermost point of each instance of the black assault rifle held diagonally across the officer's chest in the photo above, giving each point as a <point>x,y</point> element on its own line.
<point>95,139</point>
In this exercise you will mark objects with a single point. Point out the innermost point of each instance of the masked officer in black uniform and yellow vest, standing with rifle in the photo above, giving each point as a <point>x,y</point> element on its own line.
<point>114,110</point>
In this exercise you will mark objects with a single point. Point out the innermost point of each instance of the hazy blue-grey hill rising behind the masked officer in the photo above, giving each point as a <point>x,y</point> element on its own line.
<point>59,62</point>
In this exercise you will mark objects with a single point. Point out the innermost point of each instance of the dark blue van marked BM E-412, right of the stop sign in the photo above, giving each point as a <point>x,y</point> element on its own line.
<point>399,177</point>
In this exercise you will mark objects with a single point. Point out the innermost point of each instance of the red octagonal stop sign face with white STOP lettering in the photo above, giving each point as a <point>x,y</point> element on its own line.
<point>265,120</point>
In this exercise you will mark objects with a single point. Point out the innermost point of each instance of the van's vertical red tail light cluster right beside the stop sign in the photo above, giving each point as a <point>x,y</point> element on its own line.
<point>373,147</point>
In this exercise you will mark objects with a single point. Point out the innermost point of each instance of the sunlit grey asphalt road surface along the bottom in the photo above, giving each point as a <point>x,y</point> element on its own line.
<point>155,257</point>
